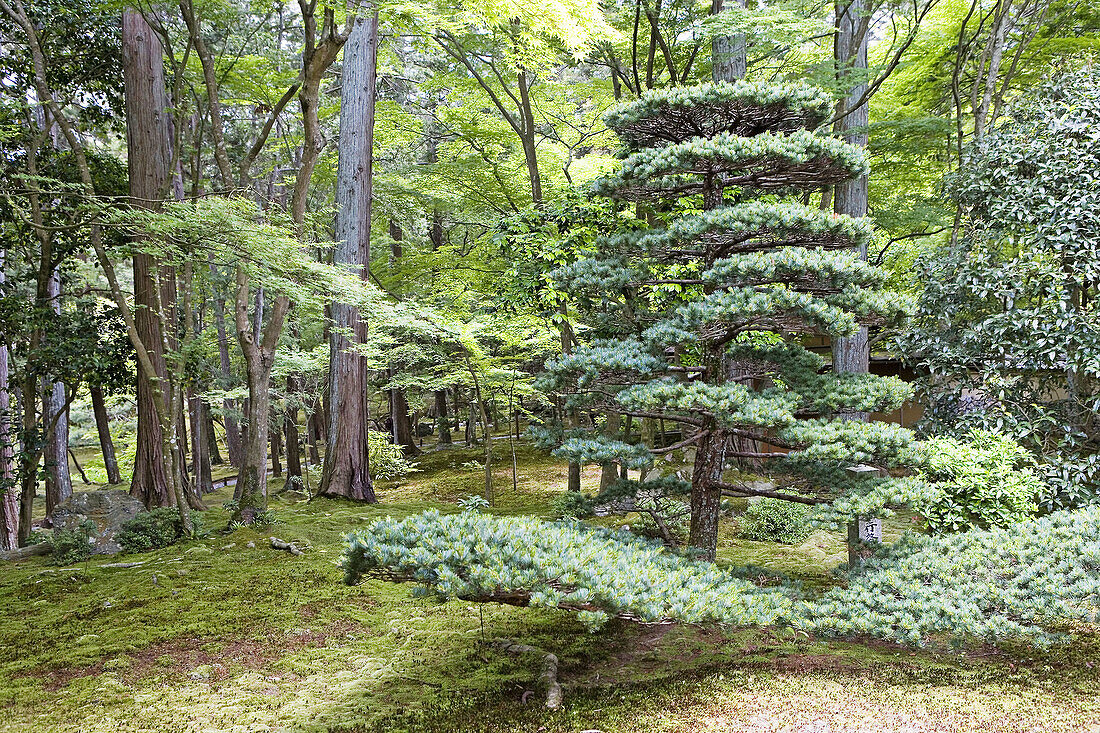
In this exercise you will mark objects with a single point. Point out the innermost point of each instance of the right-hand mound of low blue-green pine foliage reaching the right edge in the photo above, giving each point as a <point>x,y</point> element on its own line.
<point>1013,583</point>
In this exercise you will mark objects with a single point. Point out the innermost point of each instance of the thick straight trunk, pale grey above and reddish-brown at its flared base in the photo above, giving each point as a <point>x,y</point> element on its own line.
<point>347,461</point>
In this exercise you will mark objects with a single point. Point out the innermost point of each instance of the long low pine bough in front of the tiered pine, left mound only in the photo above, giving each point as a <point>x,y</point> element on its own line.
<point>524,562</point>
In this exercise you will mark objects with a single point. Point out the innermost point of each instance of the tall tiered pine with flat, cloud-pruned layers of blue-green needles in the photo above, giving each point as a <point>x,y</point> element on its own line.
<point>733,285</point>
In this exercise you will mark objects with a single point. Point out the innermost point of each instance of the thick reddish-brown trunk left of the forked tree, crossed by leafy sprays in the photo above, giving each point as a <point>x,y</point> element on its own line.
<point>149,145</point>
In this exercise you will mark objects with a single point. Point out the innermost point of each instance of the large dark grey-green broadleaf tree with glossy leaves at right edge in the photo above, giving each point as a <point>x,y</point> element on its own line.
<point>1007,327</point>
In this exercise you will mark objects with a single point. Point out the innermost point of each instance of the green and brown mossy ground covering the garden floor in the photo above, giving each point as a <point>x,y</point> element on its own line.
<point>216,636</point>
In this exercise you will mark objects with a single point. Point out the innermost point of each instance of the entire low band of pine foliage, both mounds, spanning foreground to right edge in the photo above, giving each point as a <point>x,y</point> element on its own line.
<point>1018,583</point>
